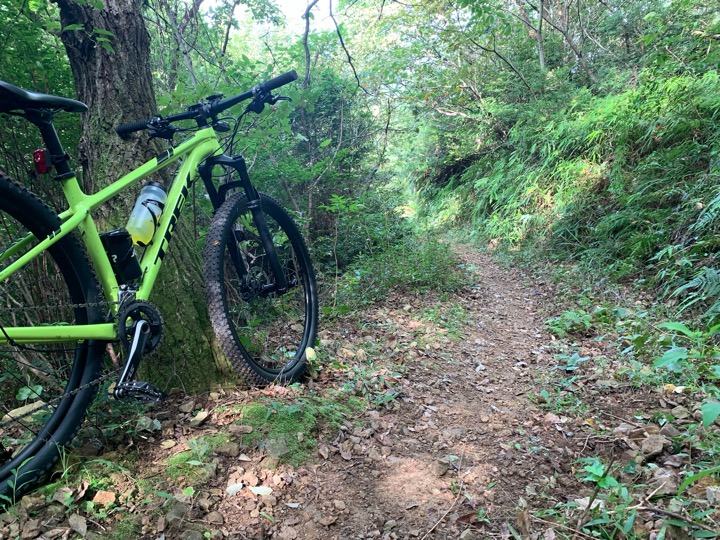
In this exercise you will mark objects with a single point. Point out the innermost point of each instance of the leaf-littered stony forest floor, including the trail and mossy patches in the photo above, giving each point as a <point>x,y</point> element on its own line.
<point>429,417</point>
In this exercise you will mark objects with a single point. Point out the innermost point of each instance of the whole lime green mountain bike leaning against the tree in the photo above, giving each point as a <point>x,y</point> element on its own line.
<point>66,290</point>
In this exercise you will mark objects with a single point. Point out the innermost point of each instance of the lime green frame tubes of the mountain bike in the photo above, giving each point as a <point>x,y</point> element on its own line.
<point>203,144</point>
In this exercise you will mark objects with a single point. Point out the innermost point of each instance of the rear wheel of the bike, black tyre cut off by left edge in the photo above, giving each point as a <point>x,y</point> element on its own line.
<point>45,387</point>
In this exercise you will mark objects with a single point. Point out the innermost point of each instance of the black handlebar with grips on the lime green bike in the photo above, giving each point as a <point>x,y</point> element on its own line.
<point>202,112</point>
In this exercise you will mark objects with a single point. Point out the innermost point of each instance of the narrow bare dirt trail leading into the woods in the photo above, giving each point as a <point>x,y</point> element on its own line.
<point>464,435</point>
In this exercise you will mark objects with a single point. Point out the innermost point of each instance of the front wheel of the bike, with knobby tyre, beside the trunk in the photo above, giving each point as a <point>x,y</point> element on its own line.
<point>264,333</point>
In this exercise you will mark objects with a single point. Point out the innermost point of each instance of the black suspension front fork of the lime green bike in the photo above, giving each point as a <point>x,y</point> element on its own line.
<point>217,197</point>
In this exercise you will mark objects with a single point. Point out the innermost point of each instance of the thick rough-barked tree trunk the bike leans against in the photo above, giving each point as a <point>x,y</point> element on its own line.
<point>113,77</point>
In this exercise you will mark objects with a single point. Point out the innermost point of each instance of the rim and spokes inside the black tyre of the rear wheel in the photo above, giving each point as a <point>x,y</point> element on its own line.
<point>38,382</point>
